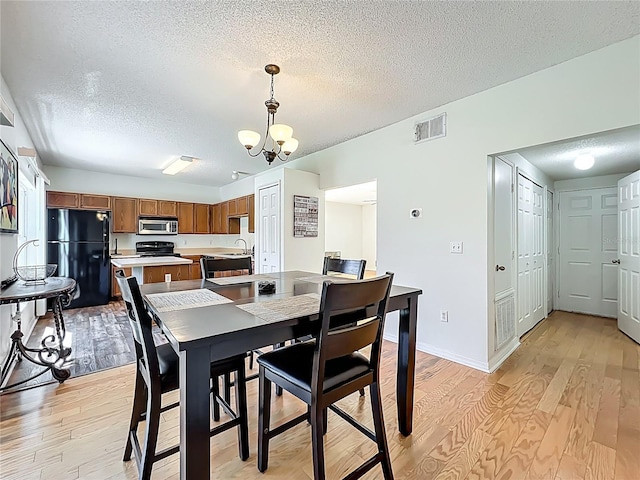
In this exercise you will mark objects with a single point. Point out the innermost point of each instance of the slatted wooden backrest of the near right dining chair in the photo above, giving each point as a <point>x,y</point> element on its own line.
<point>366,298</point>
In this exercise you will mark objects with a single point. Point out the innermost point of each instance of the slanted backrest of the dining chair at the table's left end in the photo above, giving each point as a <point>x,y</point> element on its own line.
<point>140,325</point>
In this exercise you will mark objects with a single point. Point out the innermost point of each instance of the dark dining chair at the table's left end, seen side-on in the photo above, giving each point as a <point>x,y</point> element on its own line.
<point>157,372</point>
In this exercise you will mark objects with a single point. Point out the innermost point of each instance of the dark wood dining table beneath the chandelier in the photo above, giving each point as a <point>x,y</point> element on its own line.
<point>209,333</point>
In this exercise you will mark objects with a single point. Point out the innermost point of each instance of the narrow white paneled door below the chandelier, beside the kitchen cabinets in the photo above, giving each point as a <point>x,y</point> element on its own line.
<point>269,225</point>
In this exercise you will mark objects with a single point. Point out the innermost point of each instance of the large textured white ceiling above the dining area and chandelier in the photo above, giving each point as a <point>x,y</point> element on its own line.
<point>126,87</point>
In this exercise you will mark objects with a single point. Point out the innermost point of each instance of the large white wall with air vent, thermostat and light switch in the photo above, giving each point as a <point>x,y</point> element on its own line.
<point>448,179</point>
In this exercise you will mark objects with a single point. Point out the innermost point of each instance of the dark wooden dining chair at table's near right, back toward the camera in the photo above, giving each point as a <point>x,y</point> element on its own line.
<point>322,372</point>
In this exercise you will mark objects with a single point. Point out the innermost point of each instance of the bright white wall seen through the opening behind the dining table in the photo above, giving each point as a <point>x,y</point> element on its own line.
<point>343,229</point>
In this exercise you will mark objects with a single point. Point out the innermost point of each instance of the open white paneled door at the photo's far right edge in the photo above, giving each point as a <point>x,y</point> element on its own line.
<point>629,255</point>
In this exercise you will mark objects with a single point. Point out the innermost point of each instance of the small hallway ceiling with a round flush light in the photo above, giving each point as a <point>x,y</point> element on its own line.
<point>615,151</point>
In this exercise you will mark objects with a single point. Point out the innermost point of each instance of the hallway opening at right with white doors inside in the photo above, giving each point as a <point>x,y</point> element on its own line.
<point>565,229</point>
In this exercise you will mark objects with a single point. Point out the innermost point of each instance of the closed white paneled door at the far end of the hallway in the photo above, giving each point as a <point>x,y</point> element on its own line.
<point>588,280</point>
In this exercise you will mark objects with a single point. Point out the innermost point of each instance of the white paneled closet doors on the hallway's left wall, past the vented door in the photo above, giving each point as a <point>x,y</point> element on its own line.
<point>531,268</point>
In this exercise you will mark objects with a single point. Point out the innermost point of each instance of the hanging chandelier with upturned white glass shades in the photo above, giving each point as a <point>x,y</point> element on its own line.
<point>281,134</point>
